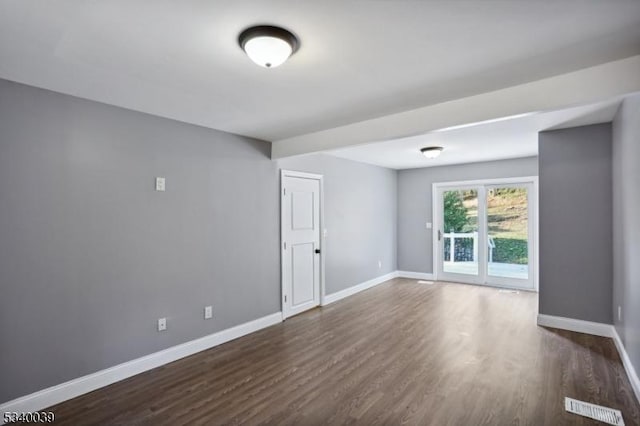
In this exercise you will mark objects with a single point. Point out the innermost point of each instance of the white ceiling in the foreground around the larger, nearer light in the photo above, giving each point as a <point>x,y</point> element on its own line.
<point>358,59</point>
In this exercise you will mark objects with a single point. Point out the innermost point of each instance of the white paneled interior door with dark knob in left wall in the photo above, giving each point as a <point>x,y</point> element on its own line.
<point>301,197</point>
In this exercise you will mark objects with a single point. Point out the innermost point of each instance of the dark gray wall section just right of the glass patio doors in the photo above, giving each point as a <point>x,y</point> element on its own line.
<point>576,223</point>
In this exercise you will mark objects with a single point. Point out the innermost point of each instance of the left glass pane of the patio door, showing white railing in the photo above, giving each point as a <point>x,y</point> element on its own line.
<point>460,231</point>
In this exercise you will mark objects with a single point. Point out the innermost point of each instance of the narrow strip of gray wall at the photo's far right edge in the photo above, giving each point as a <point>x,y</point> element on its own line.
<point>626,227</point>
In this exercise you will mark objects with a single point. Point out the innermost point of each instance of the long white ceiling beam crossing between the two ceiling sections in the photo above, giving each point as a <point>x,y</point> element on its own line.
<point>581,87</point>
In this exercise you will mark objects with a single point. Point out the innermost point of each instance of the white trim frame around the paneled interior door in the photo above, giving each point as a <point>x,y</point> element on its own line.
<point>321,290</point>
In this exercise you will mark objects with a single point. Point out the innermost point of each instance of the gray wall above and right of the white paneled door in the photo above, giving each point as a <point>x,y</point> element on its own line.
<point>360,217</point>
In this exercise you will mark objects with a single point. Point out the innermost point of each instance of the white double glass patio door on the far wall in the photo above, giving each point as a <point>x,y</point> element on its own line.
<point>485,232</point>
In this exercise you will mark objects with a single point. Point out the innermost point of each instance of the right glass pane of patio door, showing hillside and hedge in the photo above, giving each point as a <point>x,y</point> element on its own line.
<point>508,232</point>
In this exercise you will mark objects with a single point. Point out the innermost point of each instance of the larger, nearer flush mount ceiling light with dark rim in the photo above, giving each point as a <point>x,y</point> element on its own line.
<point>268,46</point>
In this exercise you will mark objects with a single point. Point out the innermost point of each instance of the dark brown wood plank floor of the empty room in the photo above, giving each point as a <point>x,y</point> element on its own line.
<point>400,353</point>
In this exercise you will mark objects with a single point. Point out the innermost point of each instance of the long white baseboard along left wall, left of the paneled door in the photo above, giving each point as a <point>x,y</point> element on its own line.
<point>76,387</point>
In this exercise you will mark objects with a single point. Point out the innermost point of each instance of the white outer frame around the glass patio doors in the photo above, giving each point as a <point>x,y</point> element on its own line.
<point>436,218</point>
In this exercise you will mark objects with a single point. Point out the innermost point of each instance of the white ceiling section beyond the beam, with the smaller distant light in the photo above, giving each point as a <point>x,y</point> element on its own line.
<point>510,137</point>
